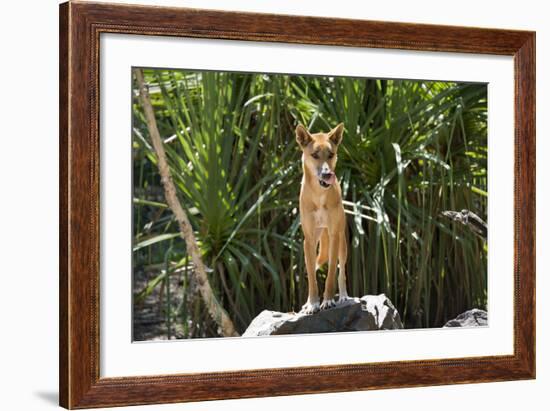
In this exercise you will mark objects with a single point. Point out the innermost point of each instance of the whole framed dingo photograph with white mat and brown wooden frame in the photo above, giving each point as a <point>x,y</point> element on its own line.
<point>259,205</point>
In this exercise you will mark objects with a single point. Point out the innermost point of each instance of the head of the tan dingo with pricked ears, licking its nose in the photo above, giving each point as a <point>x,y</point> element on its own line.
<point>320,152</point>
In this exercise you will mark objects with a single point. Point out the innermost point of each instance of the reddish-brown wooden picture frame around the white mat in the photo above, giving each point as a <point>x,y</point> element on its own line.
<point>81,24</point>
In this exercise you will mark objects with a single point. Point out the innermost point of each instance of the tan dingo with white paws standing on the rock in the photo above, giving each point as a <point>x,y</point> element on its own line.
<point>322,216</point>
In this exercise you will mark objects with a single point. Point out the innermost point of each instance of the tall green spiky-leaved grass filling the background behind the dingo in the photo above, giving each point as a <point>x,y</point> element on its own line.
<point>411,150</point>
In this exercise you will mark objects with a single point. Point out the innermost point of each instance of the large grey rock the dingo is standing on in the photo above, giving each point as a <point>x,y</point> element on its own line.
<point>371,312</point>
